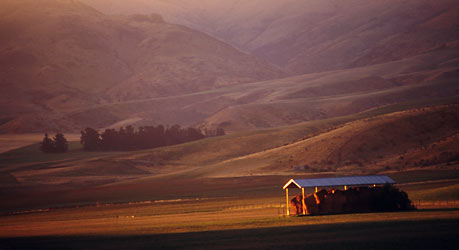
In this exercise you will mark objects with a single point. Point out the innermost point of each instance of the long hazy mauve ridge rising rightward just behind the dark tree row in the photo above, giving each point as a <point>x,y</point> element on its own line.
<point>272,103</point>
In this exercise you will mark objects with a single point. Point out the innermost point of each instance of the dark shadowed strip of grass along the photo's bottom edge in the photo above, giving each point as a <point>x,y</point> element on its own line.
<point>426,234</point>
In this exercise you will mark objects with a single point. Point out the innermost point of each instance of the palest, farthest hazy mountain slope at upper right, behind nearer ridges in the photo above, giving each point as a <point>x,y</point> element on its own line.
<point>314,35</point>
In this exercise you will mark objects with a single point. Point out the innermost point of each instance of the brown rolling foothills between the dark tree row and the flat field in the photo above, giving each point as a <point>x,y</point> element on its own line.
<point>361,142</point>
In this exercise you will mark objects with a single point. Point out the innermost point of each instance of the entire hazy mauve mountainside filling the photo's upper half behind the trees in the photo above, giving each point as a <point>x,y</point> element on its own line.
<point>65,65</point>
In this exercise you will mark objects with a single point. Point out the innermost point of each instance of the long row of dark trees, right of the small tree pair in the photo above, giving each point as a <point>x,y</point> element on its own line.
<point>142,138</point>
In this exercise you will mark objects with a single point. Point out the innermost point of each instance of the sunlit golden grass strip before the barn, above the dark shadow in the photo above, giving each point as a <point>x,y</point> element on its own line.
<point>183,216</point>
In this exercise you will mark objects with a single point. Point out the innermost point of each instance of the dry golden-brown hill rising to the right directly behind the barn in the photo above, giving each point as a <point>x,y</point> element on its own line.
<point>382,143</point>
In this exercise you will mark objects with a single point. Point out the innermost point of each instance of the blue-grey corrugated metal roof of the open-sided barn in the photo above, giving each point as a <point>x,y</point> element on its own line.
<point>340,181</point>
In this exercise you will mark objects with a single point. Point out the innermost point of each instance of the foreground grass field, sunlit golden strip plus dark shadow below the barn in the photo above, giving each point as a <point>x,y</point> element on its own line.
<point>217,224</point>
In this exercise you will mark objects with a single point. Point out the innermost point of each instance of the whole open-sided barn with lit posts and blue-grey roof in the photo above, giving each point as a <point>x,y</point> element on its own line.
<point>358,194</point>
